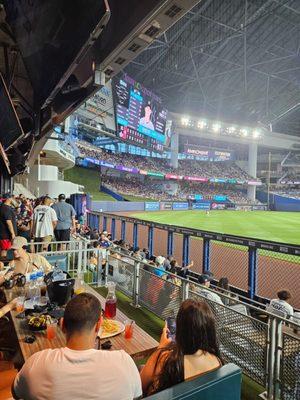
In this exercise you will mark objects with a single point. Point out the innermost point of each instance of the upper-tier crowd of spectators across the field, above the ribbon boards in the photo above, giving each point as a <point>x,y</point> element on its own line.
<point>186,167</point>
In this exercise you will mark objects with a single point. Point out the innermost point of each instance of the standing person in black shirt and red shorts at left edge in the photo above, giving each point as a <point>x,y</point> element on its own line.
<point>8,224</point>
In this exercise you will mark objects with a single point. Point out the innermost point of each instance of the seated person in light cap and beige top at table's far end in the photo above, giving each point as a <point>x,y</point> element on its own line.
<point>25,262</point>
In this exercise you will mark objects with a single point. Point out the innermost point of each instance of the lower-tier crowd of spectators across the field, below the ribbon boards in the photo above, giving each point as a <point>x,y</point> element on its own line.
<point>153,189</point>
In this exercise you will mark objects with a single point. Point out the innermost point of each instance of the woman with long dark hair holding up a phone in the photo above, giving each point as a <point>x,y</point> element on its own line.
<point>195,351</point>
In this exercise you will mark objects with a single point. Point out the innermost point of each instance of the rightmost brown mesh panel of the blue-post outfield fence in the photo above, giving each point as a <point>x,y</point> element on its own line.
<point>277,271</point>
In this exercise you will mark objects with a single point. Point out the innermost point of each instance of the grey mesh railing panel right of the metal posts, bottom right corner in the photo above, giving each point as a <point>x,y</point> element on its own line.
<point>290,368</point>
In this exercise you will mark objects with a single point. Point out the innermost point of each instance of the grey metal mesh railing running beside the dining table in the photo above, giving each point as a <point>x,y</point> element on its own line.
<point>268,350</point>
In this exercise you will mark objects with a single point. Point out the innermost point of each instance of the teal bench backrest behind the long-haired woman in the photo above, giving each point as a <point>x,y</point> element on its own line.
<point>223,384</point>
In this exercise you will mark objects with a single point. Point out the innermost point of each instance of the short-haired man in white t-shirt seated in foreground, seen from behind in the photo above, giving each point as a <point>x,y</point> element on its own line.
<point>78,371</point>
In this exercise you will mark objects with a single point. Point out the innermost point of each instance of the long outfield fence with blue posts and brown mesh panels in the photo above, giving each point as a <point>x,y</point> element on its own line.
<point>258,268</point>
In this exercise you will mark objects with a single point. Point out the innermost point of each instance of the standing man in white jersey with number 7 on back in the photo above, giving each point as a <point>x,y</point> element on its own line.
<point>44,222</point>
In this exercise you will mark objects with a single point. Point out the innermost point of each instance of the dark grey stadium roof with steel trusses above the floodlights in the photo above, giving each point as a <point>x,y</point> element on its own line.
<point>234,60</point>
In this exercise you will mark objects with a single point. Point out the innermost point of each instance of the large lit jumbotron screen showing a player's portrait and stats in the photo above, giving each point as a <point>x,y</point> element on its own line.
<point>140,116</point>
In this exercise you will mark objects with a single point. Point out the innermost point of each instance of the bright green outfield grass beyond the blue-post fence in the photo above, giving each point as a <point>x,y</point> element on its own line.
<point>266,225</point>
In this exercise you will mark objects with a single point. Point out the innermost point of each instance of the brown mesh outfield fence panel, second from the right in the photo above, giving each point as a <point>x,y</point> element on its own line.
<point>230,260</point>
